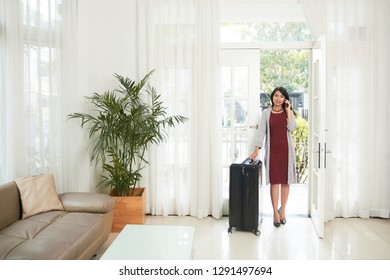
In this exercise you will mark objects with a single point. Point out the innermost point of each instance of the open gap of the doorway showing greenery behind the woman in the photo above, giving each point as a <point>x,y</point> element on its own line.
<point>290,68</point>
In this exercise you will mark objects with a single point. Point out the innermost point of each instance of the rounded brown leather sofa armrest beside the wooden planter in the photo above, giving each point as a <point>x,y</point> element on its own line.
<point>86,202</point>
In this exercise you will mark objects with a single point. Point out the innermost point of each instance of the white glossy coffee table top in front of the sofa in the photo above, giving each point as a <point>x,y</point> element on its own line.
<point>151,242</point>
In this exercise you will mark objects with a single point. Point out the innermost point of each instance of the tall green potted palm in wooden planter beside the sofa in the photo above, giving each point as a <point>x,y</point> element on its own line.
<point>121,128</point>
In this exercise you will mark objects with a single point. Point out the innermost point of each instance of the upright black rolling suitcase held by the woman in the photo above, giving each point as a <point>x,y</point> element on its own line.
<point>244,185</point>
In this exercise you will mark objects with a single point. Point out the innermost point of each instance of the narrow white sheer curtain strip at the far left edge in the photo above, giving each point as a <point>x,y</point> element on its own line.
<point>11,70</point>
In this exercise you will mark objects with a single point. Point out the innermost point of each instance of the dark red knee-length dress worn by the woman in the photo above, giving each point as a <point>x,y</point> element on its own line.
<point>278,162</point>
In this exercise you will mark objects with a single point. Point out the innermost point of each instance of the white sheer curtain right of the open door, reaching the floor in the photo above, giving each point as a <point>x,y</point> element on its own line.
<point>358,33</point>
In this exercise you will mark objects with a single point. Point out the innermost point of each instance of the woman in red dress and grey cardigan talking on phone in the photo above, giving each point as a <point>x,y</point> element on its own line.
<point>276,126</point>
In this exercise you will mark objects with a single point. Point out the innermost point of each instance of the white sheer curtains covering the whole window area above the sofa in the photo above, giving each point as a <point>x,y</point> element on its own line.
<point>37,87</point>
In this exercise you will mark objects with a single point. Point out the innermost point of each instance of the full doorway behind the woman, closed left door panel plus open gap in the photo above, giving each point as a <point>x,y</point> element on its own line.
<point>258,72</point>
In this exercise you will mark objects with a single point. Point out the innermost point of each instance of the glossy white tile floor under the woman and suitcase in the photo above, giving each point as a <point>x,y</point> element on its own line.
<point>344,239</point>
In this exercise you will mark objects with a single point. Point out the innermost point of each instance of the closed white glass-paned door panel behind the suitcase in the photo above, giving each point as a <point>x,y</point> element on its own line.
<point>240,103</point>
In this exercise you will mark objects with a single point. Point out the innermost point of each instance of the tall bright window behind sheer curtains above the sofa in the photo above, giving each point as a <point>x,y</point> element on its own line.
<point>41,55</point>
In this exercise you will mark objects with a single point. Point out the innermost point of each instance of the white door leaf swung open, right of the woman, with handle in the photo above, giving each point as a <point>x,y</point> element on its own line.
<point>318,131</point>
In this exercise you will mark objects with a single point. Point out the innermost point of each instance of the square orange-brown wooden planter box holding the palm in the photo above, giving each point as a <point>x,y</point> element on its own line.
<point>129,210</point>
